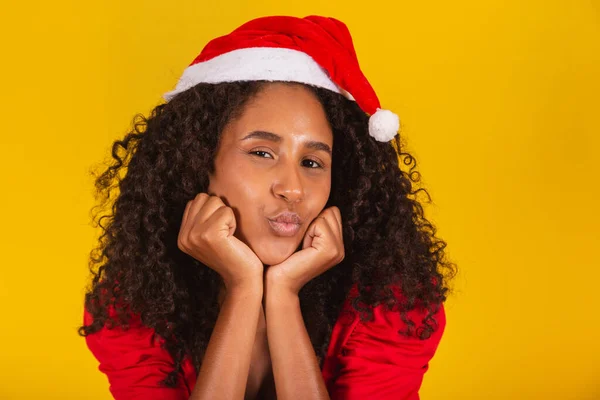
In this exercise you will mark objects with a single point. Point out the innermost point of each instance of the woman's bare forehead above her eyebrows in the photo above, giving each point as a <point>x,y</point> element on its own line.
<point>291,111</point>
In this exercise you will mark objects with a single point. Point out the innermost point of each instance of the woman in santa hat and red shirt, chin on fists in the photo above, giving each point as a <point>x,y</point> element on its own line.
<point>265,242</point>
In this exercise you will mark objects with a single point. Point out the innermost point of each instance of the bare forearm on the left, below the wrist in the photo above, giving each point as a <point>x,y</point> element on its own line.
<point>224,370</point>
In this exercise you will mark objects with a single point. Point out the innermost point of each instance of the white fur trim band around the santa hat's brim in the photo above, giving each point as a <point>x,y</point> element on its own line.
<point>257,63</point>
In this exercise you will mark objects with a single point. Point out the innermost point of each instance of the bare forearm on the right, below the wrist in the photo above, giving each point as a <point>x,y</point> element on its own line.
<point>295,365</point>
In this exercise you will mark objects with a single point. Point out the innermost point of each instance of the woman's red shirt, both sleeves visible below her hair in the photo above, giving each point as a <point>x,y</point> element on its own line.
<point>365,360</point>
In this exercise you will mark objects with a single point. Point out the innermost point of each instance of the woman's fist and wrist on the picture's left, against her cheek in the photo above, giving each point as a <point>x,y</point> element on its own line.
<point>206,234</point>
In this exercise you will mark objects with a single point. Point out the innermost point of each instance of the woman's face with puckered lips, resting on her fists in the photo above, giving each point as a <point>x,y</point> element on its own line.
<point>273,168</point>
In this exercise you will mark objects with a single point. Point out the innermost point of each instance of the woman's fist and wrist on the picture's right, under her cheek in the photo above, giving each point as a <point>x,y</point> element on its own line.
<point>322,248</point>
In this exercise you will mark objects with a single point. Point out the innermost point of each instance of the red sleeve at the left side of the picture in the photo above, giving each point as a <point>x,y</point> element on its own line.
<point>135,363</point>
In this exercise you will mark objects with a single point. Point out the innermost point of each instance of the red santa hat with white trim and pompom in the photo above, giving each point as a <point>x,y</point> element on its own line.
<point>313,50</point>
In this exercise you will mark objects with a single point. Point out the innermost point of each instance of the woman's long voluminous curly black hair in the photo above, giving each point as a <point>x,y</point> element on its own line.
<point>165,160</point>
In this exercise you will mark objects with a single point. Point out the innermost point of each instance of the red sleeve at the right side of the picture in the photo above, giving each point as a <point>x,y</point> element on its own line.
<point>378,363</point>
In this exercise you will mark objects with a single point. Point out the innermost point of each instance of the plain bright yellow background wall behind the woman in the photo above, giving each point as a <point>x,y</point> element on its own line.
<point>499,101</point>
